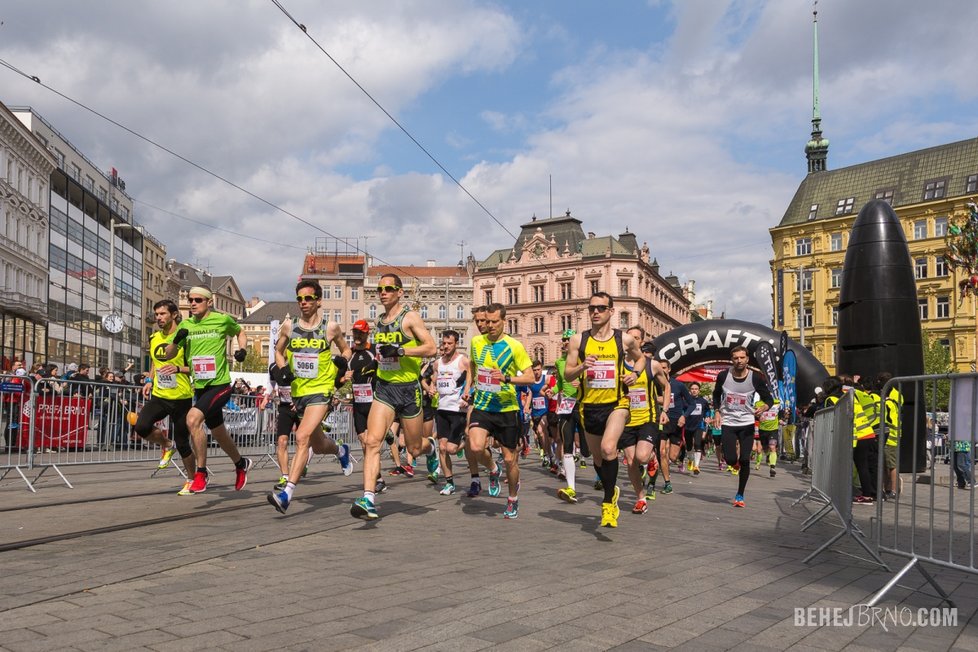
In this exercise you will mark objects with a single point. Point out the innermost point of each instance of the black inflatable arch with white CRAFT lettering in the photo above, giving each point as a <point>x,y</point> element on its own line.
<point>709,341</point>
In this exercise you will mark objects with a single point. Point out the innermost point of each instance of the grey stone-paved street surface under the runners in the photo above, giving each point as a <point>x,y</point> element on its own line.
<point>146,569</point>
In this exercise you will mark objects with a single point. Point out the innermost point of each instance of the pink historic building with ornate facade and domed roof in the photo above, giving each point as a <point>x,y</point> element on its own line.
<point>546,279</point>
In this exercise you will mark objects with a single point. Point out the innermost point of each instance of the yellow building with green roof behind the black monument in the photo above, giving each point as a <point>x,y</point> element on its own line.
<point>929,190</point>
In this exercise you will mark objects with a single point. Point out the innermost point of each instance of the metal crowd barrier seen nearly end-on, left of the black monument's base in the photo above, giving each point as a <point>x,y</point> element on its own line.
<point>831,485</point>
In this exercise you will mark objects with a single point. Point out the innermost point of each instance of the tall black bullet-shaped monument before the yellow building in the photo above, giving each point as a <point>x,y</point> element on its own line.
<point>879,320</point>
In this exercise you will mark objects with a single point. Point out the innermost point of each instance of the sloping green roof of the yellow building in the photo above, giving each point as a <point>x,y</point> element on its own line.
<point>905,175</point>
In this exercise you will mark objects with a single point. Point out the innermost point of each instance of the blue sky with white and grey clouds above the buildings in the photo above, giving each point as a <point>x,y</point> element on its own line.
<point>683,121</point>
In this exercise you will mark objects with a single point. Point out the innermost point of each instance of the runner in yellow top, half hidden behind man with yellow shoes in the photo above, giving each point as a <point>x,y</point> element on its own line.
<point>638,440</point>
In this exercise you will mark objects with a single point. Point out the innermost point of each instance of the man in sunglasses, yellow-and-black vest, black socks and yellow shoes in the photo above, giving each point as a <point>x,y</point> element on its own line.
<point>608,361</point>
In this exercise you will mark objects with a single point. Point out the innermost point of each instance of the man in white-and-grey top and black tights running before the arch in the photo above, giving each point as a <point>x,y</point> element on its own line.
<point>732,394</point>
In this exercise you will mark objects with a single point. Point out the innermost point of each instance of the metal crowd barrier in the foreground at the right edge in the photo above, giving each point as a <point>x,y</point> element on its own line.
<point>933,519</point>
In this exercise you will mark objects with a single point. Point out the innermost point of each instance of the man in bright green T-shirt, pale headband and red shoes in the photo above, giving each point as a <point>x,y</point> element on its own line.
<point>206,332</point>
